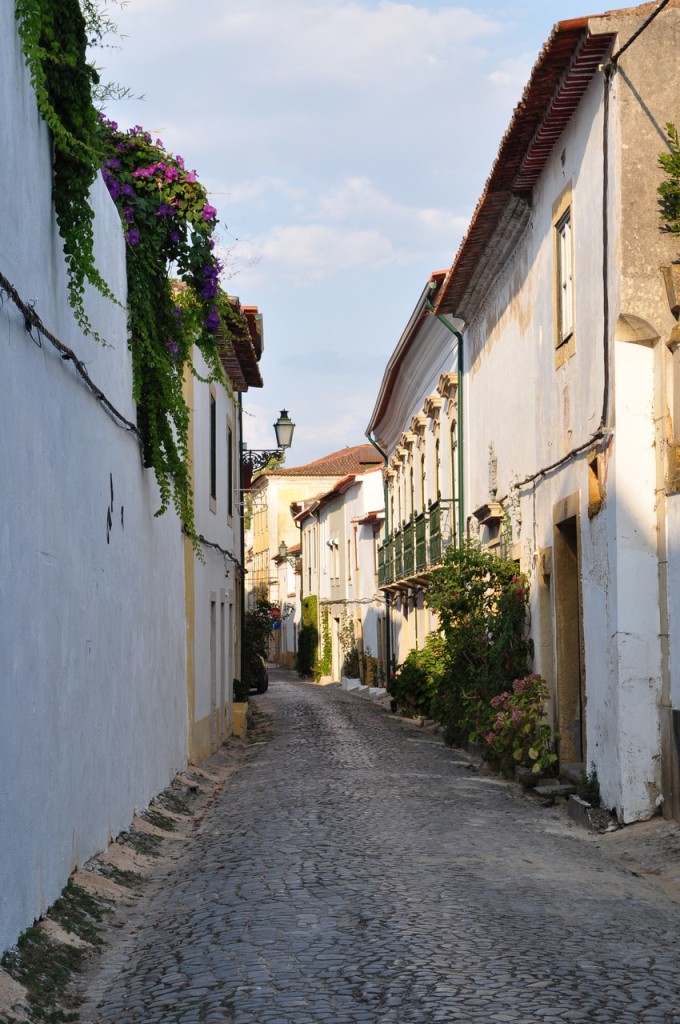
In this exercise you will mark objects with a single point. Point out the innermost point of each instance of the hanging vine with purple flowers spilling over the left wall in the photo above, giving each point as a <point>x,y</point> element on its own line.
<point>168,224</point>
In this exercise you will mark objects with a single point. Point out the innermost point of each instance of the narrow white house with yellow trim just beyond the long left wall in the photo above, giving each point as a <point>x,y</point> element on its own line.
<point>215,581</point>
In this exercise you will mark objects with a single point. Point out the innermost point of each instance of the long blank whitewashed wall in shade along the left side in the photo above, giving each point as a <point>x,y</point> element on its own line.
<point>93,648</point>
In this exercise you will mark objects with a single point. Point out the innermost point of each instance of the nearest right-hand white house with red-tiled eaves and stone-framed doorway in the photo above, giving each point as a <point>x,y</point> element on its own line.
<point>568,420</point>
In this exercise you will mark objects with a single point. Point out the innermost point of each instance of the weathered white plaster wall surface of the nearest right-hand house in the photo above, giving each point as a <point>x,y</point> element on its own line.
<point>535,412</point>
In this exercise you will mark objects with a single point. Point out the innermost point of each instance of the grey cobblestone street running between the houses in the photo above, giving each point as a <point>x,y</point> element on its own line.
<point>358,872</point>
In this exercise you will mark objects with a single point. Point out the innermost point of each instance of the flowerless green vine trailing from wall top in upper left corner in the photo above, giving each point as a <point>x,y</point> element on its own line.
<point>55,38</point>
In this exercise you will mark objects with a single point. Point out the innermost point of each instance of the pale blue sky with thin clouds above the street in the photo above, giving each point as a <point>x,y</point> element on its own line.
<point>345,144</point>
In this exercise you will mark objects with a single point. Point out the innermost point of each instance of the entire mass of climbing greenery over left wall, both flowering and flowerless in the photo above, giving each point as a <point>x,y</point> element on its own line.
<point>168,224</point>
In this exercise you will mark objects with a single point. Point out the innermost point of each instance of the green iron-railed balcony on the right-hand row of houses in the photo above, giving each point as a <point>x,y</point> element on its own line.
<point>418,547</point>
